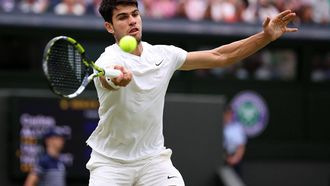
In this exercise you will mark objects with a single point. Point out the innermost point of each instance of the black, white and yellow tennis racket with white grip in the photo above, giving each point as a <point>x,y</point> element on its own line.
<point>68,69</point>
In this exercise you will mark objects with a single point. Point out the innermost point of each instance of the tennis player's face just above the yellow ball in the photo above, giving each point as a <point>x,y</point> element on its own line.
<point>126,20</point>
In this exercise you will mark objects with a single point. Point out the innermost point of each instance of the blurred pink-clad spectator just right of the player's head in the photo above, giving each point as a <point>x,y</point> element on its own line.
<point>161,8</point>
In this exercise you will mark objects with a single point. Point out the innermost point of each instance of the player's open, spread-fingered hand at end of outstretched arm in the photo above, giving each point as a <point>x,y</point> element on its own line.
<point>276,27</point>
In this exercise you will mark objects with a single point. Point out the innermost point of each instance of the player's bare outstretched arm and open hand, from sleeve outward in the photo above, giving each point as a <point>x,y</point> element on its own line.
<point>236,51</point>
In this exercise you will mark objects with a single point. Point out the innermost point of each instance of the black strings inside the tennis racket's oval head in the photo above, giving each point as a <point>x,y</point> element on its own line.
<point>65,68</point>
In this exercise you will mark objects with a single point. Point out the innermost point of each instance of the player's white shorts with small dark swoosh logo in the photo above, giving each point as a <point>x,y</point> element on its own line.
<point>155,171</point>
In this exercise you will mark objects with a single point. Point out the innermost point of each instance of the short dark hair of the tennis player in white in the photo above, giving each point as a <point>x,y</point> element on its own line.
<point>107,6</point>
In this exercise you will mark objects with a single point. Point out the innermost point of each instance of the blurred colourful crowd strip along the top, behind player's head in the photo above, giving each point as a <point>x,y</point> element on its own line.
<point>229,11</point>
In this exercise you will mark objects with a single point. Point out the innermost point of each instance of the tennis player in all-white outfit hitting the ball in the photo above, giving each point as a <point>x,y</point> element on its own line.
<point>128,143</point>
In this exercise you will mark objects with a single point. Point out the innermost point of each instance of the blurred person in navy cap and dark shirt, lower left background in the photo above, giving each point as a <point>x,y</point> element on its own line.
<point>49,170</point>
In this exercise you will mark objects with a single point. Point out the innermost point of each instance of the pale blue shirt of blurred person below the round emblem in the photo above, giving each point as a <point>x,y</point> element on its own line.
<point>234,136</point>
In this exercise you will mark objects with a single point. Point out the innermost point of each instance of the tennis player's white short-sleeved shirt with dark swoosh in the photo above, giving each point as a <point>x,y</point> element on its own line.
<point>131,118</point>
